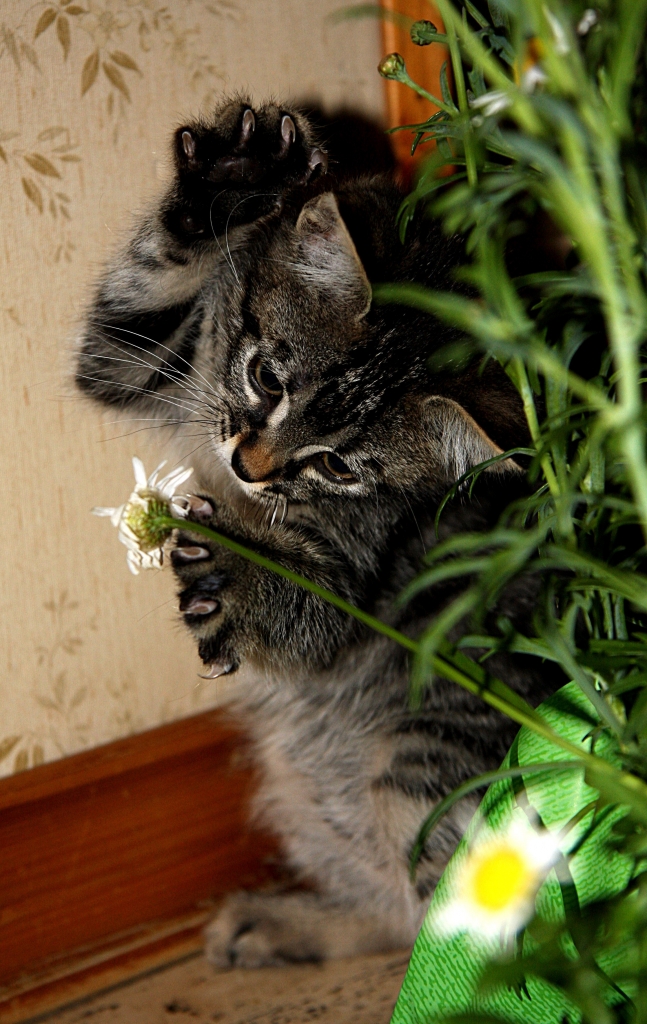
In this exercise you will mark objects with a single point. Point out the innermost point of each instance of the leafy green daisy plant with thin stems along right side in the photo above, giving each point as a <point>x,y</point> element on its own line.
<point>549,116</point>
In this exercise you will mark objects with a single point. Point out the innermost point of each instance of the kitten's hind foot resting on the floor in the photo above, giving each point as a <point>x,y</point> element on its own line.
<point>261,930</point>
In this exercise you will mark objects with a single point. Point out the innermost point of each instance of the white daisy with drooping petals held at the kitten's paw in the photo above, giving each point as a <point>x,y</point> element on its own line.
<point>136,521</point>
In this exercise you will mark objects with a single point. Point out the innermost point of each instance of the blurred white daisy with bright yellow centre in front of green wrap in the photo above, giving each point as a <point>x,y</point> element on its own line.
<point>494,889</point>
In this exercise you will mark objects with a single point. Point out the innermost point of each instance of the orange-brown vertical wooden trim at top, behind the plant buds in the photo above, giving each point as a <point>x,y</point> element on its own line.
<point>423,64</point>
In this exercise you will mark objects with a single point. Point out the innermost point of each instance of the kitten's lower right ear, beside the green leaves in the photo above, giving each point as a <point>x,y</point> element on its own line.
<point>457,441</point>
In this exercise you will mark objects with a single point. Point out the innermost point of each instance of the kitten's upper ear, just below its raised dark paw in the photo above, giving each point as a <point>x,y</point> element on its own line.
<point>328,259</point>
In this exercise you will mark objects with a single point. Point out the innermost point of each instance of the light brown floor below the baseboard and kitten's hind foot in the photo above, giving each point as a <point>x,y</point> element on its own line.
<point>360,991</point>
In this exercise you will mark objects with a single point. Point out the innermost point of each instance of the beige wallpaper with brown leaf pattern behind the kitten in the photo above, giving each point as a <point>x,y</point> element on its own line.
<point>91,91</point>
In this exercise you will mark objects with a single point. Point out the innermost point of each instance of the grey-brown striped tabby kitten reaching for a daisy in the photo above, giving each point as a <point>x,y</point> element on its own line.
<point>241,316</point>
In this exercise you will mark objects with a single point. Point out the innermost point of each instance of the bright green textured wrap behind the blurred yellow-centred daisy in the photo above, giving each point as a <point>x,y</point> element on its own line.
<point>445,971</point>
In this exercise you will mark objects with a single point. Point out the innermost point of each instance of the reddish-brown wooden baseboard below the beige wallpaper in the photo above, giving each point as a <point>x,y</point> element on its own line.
<point>113,860</point>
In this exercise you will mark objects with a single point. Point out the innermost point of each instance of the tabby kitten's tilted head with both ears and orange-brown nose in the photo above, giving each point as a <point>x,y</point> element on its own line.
<point>322,396</point>
